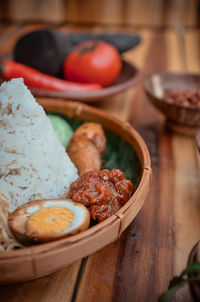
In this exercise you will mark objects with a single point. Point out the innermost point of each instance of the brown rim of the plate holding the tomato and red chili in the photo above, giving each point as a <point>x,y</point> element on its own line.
<point>128,77</point>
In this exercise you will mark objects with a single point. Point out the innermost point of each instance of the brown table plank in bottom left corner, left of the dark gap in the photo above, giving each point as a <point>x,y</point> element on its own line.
<point>56,287</point>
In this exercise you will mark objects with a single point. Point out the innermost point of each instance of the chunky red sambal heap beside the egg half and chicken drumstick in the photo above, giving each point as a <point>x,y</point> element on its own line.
<point>103,192</point>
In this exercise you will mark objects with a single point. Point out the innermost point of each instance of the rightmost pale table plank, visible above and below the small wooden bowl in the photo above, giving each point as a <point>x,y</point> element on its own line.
<point>187,178</point>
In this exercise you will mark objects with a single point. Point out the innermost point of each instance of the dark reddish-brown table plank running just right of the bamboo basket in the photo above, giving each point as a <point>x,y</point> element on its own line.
<point>154,221</point>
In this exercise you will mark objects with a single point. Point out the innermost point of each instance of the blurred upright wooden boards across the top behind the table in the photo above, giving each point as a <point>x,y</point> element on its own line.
<point>104,12</point>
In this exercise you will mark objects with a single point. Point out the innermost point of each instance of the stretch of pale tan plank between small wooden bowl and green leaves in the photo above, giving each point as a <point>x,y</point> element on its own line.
<point>187,211</point>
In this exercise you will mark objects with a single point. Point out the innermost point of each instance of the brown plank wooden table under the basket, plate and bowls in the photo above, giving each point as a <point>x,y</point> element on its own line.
<point>155,247</point>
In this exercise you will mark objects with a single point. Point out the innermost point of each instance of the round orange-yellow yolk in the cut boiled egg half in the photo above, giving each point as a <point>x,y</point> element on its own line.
<point>49,221</point>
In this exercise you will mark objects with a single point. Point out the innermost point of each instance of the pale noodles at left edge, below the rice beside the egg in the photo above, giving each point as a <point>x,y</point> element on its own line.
<point>7,241</point>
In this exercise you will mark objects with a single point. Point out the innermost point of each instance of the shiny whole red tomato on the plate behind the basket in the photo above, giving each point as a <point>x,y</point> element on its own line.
<point>93,62</point>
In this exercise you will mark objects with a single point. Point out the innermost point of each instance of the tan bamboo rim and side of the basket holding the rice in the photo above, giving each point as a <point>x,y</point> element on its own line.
<point>36,261</point>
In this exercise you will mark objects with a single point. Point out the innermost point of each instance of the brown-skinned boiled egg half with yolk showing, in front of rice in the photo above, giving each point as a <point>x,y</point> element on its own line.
<point>46,220</point>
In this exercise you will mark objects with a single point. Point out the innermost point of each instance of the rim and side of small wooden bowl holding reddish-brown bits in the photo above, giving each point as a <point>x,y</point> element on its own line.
<point>185,120</point>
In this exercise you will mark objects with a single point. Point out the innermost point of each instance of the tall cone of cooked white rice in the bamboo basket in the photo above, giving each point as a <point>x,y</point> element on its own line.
<point>33,163</point>
